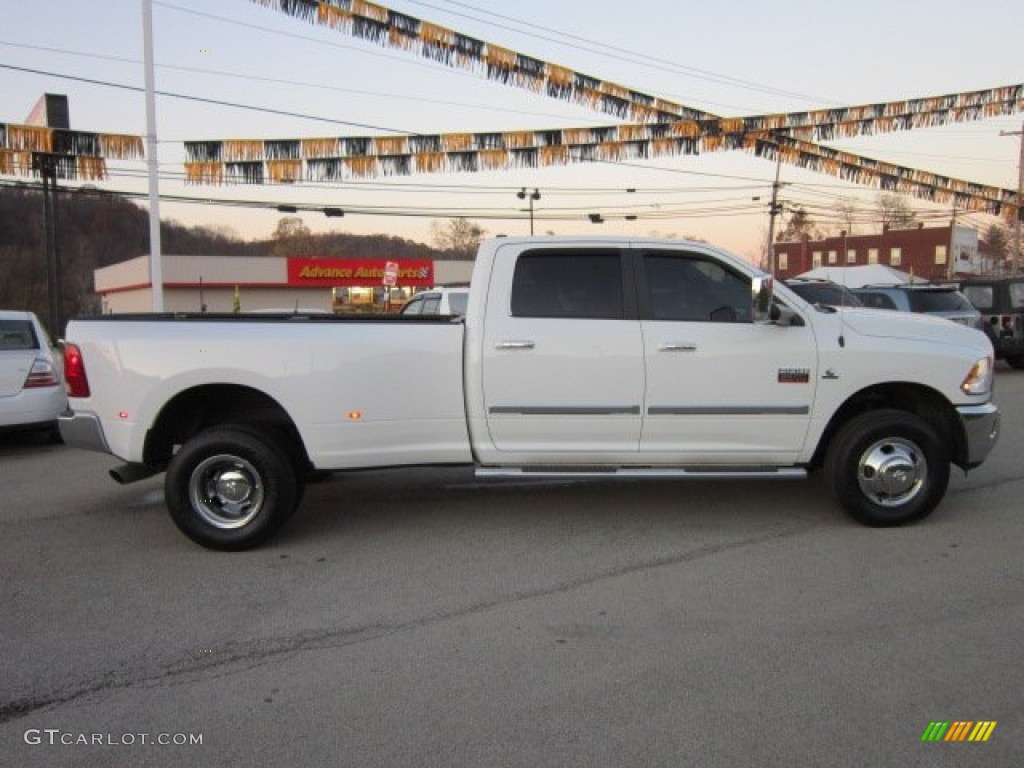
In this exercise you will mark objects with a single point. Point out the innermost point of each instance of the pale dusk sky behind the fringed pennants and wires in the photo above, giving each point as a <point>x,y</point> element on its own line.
<point>733,58</point>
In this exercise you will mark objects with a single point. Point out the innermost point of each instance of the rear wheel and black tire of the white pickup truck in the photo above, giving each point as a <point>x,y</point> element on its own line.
<point>230,489</point>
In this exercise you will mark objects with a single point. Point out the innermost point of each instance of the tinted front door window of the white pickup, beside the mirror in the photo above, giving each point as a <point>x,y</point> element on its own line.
<point>691,288</point>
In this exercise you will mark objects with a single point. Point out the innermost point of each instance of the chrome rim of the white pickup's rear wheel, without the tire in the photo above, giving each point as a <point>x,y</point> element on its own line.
<point>227,492</point>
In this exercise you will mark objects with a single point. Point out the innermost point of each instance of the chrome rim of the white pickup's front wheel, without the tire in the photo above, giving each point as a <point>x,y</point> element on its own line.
<point>892,473</point>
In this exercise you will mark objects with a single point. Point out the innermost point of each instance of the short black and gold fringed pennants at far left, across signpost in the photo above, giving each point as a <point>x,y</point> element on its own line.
<point>30,151</point>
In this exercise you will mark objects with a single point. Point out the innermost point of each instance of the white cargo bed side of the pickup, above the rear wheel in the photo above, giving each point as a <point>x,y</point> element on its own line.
<point>363,392</point>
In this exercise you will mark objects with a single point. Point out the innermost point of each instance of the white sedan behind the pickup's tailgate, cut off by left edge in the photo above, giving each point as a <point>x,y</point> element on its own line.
<point>32,391</point>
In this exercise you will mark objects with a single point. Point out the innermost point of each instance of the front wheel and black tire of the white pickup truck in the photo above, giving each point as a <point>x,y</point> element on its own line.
<point>888,468</point>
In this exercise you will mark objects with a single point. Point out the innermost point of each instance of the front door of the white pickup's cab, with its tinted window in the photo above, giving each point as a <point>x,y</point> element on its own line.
<point>720,390</point>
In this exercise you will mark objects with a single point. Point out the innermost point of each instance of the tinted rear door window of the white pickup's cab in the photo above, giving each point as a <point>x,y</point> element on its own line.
<point>560,285</point>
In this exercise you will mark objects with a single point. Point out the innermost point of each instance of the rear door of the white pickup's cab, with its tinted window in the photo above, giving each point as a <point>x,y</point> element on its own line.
<point>563,357</point>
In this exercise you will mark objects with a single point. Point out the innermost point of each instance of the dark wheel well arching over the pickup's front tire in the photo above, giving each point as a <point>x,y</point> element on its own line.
<point>915,399</point>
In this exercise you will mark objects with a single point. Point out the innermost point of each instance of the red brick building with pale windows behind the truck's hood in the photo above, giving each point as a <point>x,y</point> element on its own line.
<point>935,253</point>
